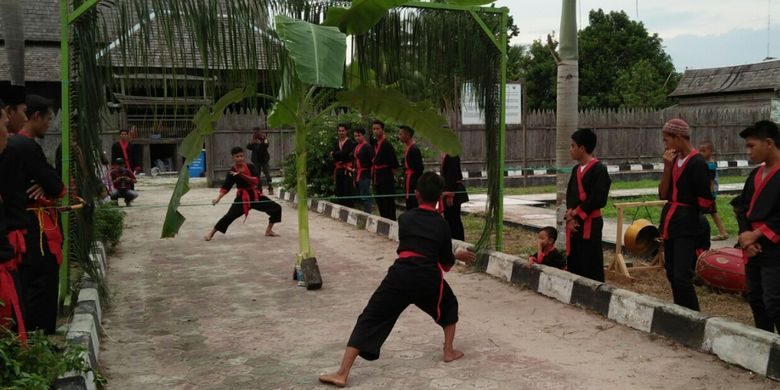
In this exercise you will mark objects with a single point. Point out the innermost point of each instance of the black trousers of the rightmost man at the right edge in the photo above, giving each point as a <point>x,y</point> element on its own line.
<point>763,282</point>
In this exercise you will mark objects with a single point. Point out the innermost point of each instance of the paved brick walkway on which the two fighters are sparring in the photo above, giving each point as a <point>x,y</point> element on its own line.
<point>225,315</point>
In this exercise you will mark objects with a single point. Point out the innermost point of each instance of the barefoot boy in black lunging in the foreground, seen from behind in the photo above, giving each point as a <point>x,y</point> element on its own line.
<point>416,277</point>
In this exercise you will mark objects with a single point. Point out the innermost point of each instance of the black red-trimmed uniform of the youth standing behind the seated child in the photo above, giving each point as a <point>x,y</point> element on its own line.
<point>587,194</point>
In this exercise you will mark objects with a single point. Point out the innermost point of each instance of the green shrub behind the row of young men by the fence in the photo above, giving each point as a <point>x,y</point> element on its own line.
<point>319,164</point>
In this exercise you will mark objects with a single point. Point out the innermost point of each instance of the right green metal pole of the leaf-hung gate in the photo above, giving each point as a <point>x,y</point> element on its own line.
<point>502,132</point>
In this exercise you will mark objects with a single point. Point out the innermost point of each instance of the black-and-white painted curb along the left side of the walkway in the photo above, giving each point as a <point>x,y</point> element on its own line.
<point>84,328</point>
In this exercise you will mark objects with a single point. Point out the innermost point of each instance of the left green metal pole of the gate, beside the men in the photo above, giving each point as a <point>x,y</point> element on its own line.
<point>65,140</point>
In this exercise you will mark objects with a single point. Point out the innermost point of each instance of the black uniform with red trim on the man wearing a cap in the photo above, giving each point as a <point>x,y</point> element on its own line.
<point>683,224</point>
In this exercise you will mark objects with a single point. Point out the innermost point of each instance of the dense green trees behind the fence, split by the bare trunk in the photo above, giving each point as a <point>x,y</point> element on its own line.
<point>614,51</point>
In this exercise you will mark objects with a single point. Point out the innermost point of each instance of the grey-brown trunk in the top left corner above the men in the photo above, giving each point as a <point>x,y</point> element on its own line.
<point>13,33</point>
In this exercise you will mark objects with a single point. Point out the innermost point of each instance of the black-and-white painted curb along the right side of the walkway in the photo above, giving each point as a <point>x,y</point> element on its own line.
<point>730,341</point>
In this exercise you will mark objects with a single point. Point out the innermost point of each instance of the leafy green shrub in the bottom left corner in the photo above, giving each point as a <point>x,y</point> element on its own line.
<point>39,364</point>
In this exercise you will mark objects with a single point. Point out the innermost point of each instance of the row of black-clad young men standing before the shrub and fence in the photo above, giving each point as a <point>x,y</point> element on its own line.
<point>360,166</point>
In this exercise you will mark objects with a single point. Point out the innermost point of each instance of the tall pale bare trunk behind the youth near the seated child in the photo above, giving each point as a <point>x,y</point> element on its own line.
<point>567,111</point>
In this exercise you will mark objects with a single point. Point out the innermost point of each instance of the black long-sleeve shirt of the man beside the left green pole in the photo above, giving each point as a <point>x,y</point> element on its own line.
<point>23,165</point>
